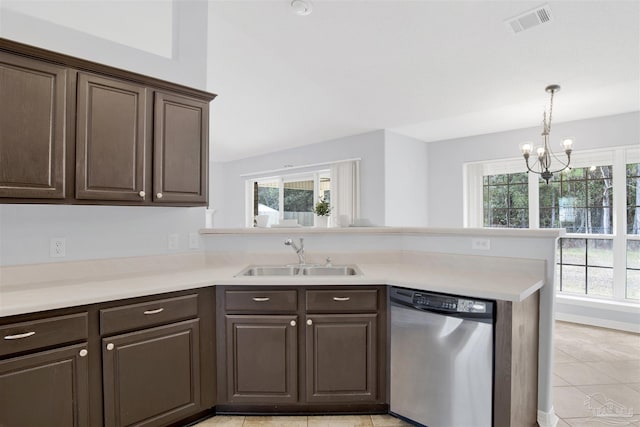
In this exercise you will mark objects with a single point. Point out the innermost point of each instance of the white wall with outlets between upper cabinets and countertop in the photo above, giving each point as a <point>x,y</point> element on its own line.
<point>93,232</point>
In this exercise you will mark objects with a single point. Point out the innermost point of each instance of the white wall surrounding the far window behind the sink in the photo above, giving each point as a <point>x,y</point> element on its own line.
<point>228,186</point>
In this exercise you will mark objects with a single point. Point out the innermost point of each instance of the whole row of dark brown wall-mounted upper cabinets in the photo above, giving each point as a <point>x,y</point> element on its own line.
<point>73,131</point>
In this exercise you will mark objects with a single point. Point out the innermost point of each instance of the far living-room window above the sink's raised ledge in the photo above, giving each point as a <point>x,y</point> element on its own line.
<point>290,197</point>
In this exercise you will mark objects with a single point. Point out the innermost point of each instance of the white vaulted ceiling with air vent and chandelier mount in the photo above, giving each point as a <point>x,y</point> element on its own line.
<point>432,70</point>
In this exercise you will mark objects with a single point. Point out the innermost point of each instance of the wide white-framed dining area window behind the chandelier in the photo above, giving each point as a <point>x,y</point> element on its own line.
<point>597,202</point>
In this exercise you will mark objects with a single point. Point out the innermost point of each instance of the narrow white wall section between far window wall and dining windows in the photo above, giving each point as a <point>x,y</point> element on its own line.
<point>405,178</point>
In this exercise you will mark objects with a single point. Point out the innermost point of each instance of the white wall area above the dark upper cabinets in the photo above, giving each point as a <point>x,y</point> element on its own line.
<point>187,66</point>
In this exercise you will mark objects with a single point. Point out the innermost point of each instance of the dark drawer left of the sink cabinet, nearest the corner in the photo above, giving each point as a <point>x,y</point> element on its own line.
<point>151,313</point>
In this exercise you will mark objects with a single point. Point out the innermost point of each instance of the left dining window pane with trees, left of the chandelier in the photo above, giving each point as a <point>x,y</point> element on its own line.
<point>505,200</point>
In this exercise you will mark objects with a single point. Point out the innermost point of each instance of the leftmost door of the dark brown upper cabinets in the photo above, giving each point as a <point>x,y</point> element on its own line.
<point>32,128</point>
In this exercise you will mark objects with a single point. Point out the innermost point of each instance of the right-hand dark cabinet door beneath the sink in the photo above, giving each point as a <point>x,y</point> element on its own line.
<point>341,354</point>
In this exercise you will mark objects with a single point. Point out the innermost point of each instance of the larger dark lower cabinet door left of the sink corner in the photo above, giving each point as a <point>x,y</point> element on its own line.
<point>152,377</point>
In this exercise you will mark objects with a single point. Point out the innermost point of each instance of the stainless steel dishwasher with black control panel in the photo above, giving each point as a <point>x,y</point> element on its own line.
<point>441,358</point>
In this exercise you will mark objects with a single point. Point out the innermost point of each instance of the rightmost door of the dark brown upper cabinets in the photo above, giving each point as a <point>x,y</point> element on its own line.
<point>181,129</point>
